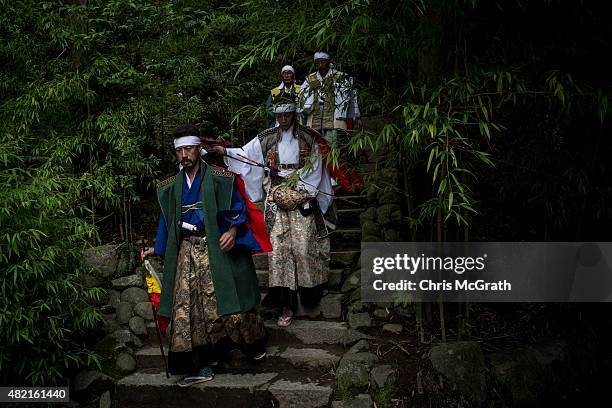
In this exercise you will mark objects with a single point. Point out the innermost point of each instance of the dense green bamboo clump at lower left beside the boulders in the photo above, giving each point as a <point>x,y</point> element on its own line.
<point>45,311</point>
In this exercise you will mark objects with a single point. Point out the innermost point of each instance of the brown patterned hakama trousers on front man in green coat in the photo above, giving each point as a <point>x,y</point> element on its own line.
<point>199,336</point>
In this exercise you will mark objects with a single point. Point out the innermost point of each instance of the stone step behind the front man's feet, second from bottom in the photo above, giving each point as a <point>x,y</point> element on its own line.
<point>283,358</point>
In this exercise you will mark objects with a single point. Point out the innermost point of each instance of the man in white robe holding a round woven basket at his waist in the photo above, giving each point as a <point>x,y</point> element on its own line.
<point>297,191</point>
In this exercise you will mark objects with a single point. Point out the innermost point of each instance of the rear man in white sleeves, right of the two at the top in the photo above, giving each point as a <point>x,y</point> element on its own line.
<point>329,98</point>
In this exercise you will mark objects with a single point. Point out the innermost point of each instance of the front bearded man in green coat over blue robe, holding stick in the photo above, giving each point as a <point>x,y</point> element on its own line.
<point>207,231</point>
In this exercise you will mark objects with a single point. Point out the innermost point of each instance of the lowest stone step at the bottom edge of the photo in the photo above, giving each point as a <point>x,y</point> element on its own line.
<point>147,390</point>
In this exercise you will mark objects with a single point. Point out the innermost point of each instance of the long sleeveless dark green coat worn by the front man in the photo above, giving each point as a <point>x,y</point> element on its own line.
<point>233,272</point>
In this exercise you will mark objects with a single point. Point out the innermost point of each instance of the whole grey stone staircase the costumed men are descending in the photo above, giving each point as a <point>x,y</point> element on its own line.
<point>299,370</point>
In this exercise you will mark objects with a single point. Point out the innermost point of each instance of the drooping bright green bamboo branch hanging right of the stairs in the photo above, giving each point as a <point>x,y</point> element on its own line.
<point>453,124</point>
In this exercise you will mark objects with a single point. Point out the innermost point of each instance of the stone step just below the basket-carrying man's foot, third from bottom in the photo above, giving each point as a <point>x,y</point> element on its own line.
<point>313,332</point>
